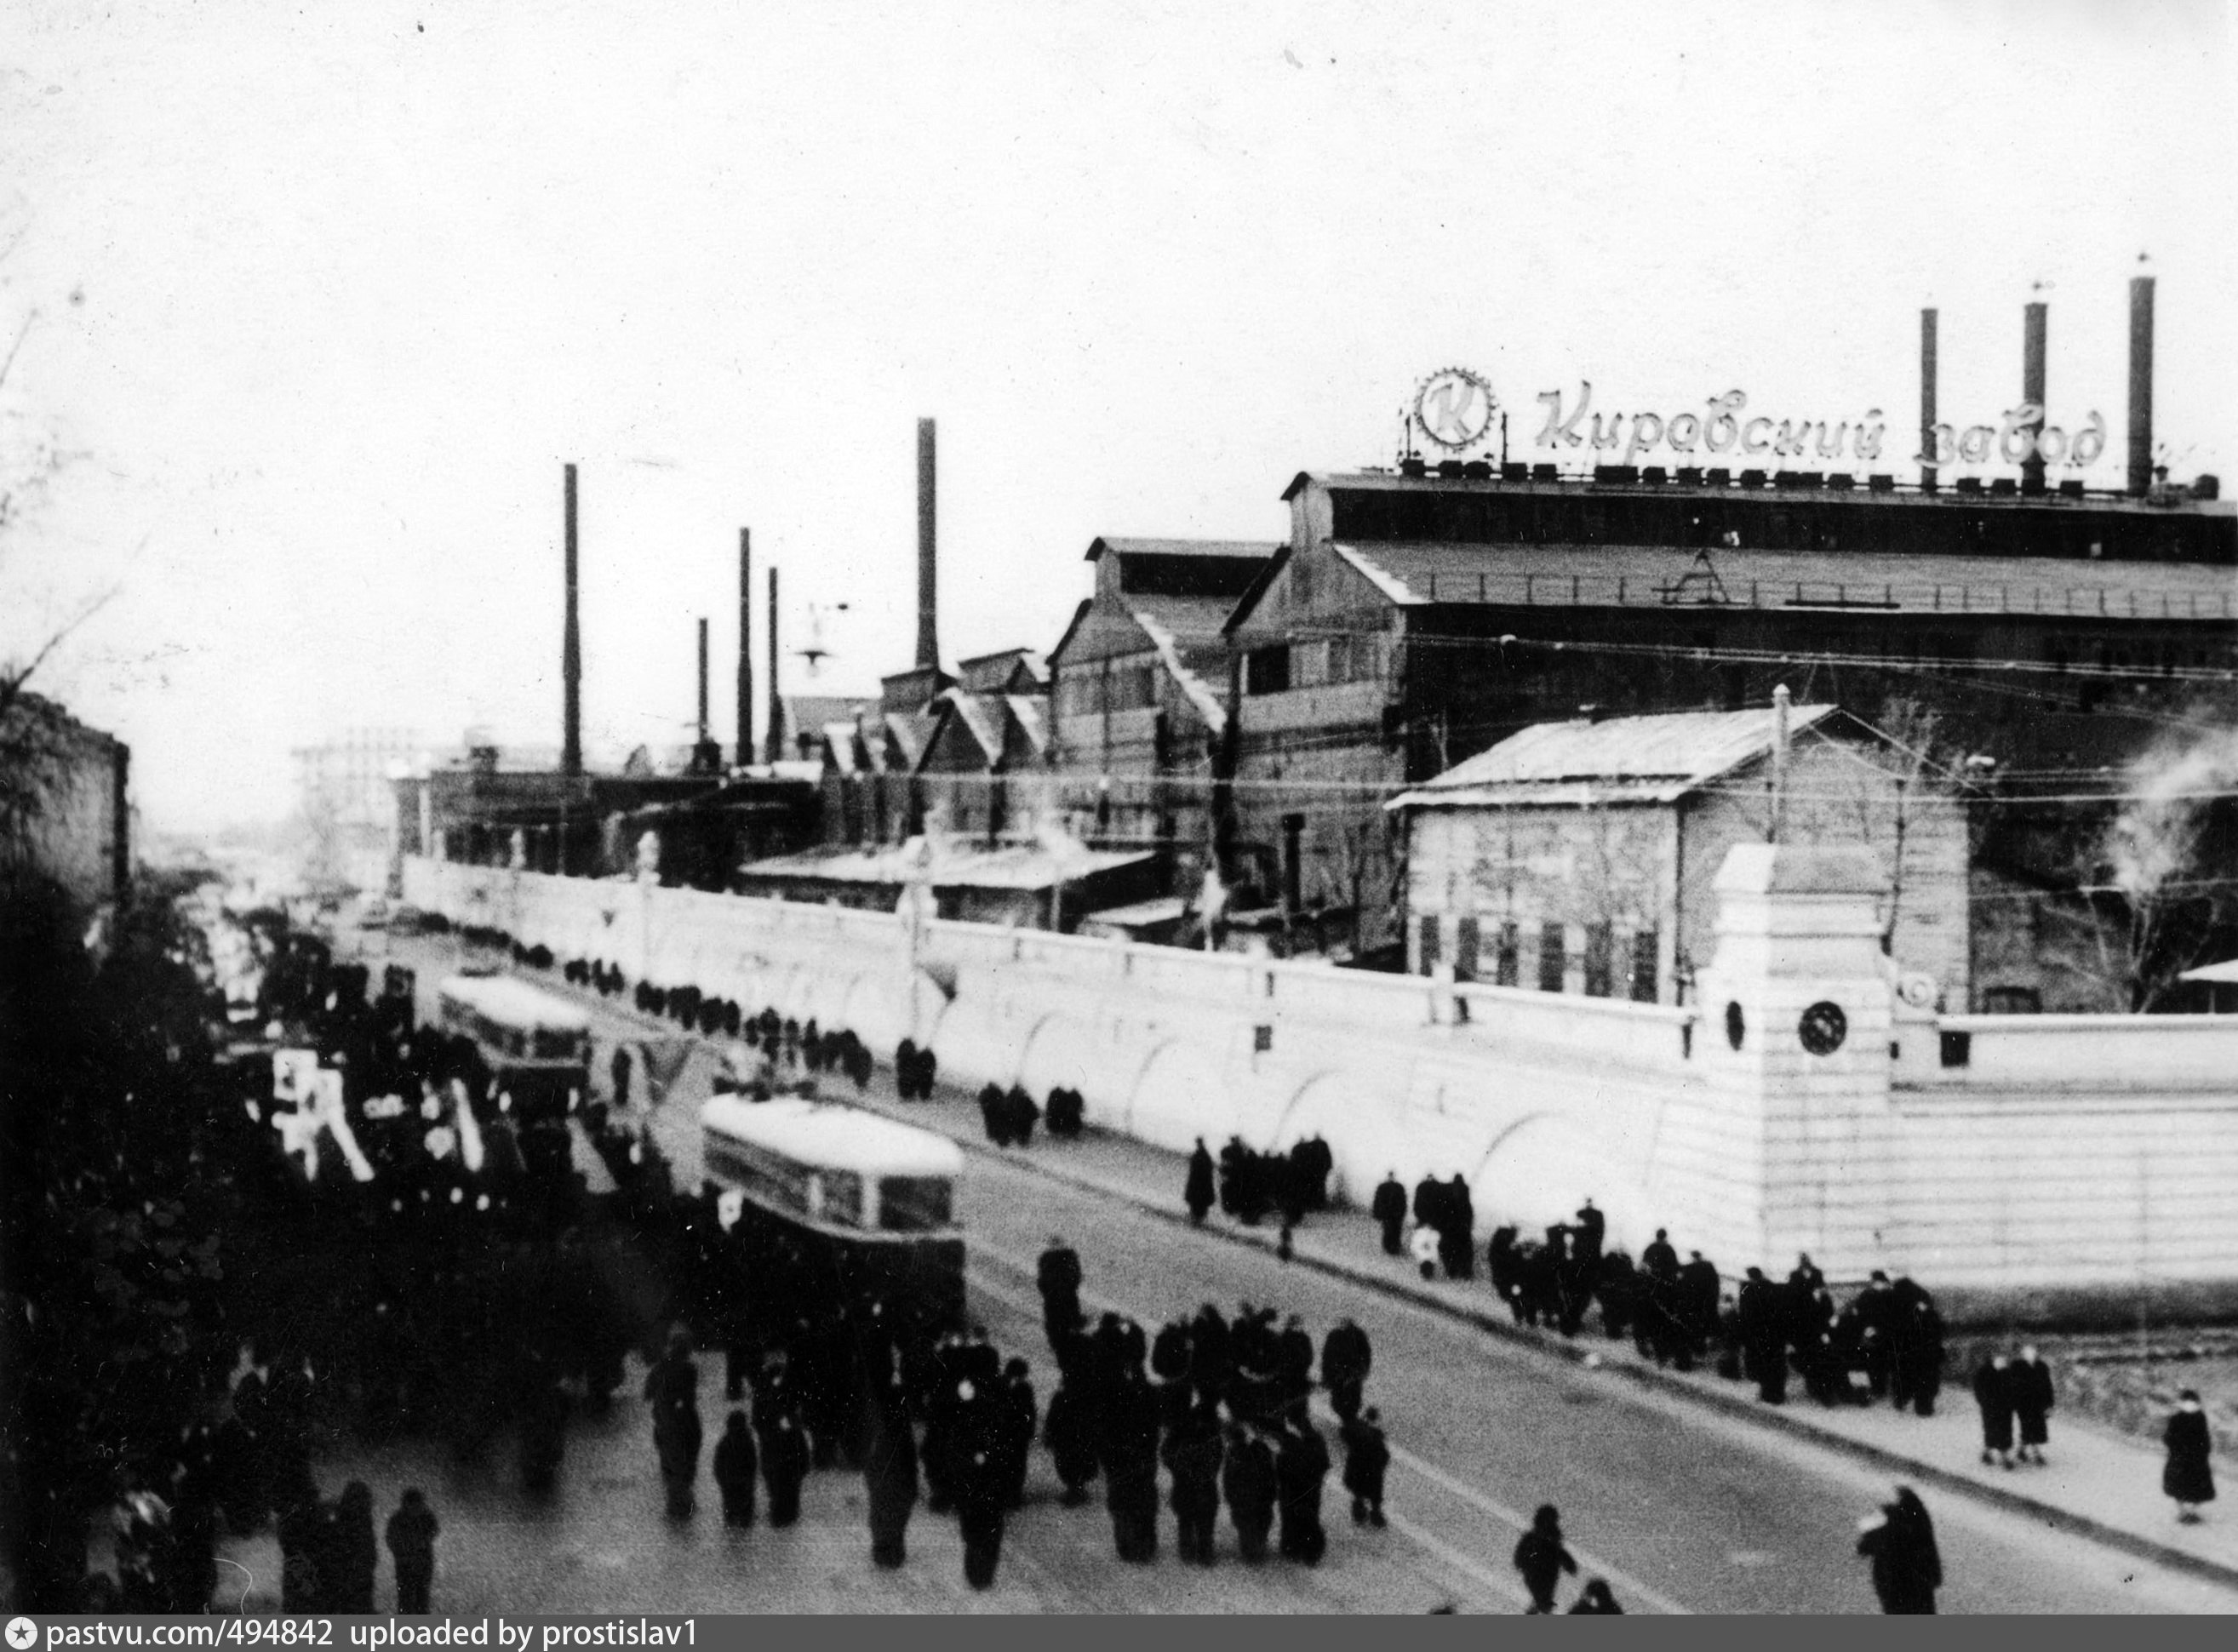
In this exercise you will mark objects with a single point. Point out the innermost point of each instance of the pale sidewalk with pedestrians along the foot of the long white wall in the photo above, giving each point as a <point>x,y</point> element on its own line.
<point>2098,1483</point>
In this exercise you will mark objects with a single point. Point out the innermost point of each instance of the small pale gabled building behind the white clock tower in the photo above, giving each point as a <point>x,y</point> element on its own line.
<point>1581,856</point>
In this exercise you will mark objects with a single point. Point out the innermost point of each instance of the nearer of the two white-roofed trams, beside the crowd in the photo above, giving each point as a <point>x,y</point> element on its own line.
<point>863,1203</point>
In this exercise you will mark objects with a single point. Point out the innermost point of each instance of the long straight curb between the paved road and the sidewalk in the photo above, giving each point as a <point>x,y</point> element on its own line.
<point>1659,1380</point>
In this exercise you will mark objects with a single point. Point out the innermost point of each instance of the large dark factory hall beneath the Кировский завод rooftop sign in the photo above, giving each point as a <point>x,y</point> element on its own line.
<point>1420,617</point>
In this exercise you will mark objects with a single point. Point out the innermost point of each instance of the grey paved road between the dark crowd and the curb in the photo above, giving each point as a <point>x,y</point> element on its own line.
<point>1682,1510</point>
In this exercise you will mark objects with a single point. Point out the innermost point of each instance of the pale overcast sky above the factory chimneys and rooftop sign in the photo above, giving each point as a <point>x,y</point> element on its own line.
<point>314,303</point>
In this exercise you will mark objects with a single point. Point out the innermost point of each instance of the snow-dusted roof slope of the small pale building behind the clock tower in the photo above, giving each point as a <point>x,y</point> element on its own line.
<point>1610,760</point>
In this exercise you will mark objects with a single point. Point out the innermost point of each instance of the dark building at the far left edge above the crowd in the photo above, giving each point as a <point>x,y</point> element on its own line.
<point>66,807</point>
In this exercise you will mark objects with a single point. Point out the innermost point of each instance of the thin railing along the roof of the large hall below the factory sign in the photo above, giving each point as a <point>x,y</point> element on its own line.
<point>1691,592</point>
